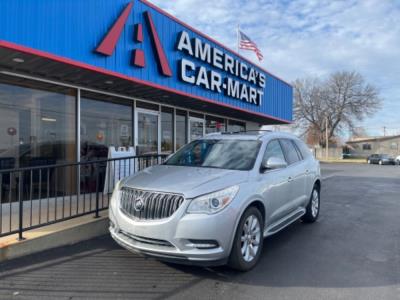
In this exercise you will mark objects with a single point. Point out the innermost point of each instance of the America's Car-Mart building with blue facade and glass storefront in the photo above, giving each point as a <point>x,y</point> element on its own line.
<point>79,76</point>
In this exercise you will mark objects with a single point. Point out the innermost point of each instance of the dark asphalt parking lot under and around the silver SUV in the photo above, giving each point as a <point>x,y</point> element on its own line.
<point>352,252</point>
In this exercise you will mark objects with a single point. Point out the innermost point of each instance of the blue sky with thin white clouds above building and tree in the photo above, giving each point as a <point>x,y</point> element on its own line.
<point>302,38</point>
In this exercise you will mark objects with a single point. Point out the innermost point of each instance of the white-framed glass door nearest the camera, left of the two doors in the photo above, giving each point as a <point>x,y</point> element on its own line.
<point>147,132</point>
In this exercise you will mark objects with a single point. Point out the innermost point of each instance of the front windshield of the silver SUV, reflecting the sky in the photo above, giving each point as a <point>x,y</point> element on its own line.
<point>222,154</point>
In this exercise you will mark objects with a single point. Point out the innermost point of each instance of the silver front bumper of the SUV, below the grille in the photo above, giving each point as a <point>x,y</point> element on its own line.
<point>171,239</point>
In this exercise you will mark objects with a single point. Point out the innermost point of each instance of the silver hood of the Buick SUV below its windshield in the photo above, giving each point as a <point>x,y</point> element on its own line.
<point>189,181</point>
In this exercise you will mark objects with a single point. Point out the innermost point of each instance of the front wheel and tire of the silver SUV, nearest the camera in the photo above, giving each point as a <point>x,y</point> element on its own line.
<point>247,261</point>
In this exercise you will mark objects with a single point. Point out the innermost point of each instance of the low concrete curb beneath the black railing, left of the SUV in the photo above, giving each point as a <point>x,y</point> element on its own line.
<point>47,238</point>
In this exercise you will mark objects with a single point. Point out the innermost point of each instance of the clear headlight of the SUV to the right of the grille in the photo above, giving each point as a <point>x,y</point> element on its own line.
<point>214,202</point>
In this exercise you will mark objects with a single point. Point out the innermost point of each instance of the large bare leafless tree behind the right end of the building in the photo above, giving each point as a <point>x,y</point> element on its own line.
<point>340,100</point>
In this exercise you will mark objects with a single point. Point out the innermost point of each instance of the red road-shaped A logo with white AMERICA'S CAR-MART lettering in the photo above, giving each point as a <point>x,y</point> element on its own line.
<point>203,65</point>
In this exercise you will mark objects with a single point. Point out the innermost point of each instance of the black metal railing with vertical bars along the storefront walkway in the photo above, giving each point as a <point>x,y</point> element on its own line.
<point>38,196</point>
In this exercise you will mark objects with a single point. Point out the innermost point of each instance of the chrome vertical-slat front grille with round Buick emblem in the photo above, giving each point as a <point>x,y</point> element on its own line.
<point>148,205</point>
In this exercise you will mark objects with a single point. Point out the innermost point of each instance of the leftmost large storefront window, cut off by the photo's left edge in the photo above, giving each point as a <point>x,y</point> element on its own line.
<point>37,126</point>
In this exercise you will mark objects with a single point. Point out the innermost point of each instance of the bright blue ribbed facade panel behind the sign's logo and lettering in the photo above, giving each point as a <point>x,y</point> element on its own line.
<point>74,28</point>
